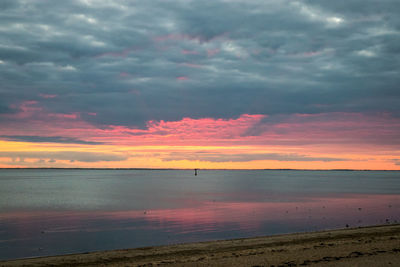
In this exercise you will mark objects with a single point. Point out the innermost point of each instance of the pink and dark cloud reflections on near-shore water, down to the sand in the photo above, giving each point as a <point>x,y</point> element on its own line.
<point>59,232</point>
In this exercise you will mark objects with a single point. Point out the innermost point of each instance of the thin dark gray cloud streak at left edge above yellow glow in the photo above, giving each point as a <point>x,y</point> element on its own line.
<point>47,139</point>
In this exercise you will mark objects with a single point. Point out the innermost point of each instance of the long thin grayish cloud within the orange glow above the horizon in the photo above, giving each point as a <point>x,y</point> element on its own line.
<point>220,157</point>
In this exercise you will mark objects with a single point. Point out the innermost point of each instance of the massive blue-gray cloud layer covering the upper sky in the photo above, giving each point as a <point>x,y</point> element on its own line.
<point>130,62</point>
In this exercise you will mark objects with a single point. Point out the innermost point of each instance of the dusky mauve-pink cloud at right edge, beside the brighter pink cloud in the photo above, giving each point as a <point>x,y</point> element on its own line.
<point>331,128</point>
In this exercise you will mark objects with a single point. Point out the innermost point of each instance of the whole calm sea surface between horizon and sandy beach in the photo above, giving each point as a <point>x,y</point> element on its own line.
<point>57,211</point>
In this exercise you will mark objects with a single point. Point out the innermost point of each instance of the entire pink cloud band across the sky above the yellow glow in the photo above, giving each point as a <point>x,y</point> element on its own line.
<point>295,130</point>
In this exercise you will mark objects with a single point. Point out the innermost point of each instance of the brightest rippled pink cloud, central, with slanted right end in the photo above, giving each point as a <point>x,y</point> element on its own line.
<point>186,130</point>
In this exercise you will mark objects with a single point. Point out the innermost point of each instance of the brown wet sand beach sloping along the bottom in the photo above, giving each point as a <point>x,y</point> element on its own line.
<point>367,246</point>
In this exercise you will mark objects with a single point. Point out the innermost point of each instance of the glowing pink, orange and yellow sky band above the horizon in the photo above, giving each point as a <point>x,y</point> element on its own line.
<point>251,141</point>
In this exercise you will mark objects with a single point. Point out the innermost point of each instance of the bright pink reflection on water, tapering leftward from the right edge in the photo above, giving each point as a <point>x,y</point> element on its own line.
<point>353,209</point>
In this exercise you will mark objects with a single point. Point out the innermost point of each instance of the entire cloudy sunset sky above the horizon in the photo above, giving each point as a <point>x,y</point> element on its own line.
<point>248,84</point>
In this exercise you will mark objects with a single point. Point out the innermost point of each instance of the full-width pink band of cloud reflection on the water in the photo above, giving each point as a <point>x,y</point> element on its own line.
<point>248,214</point>
